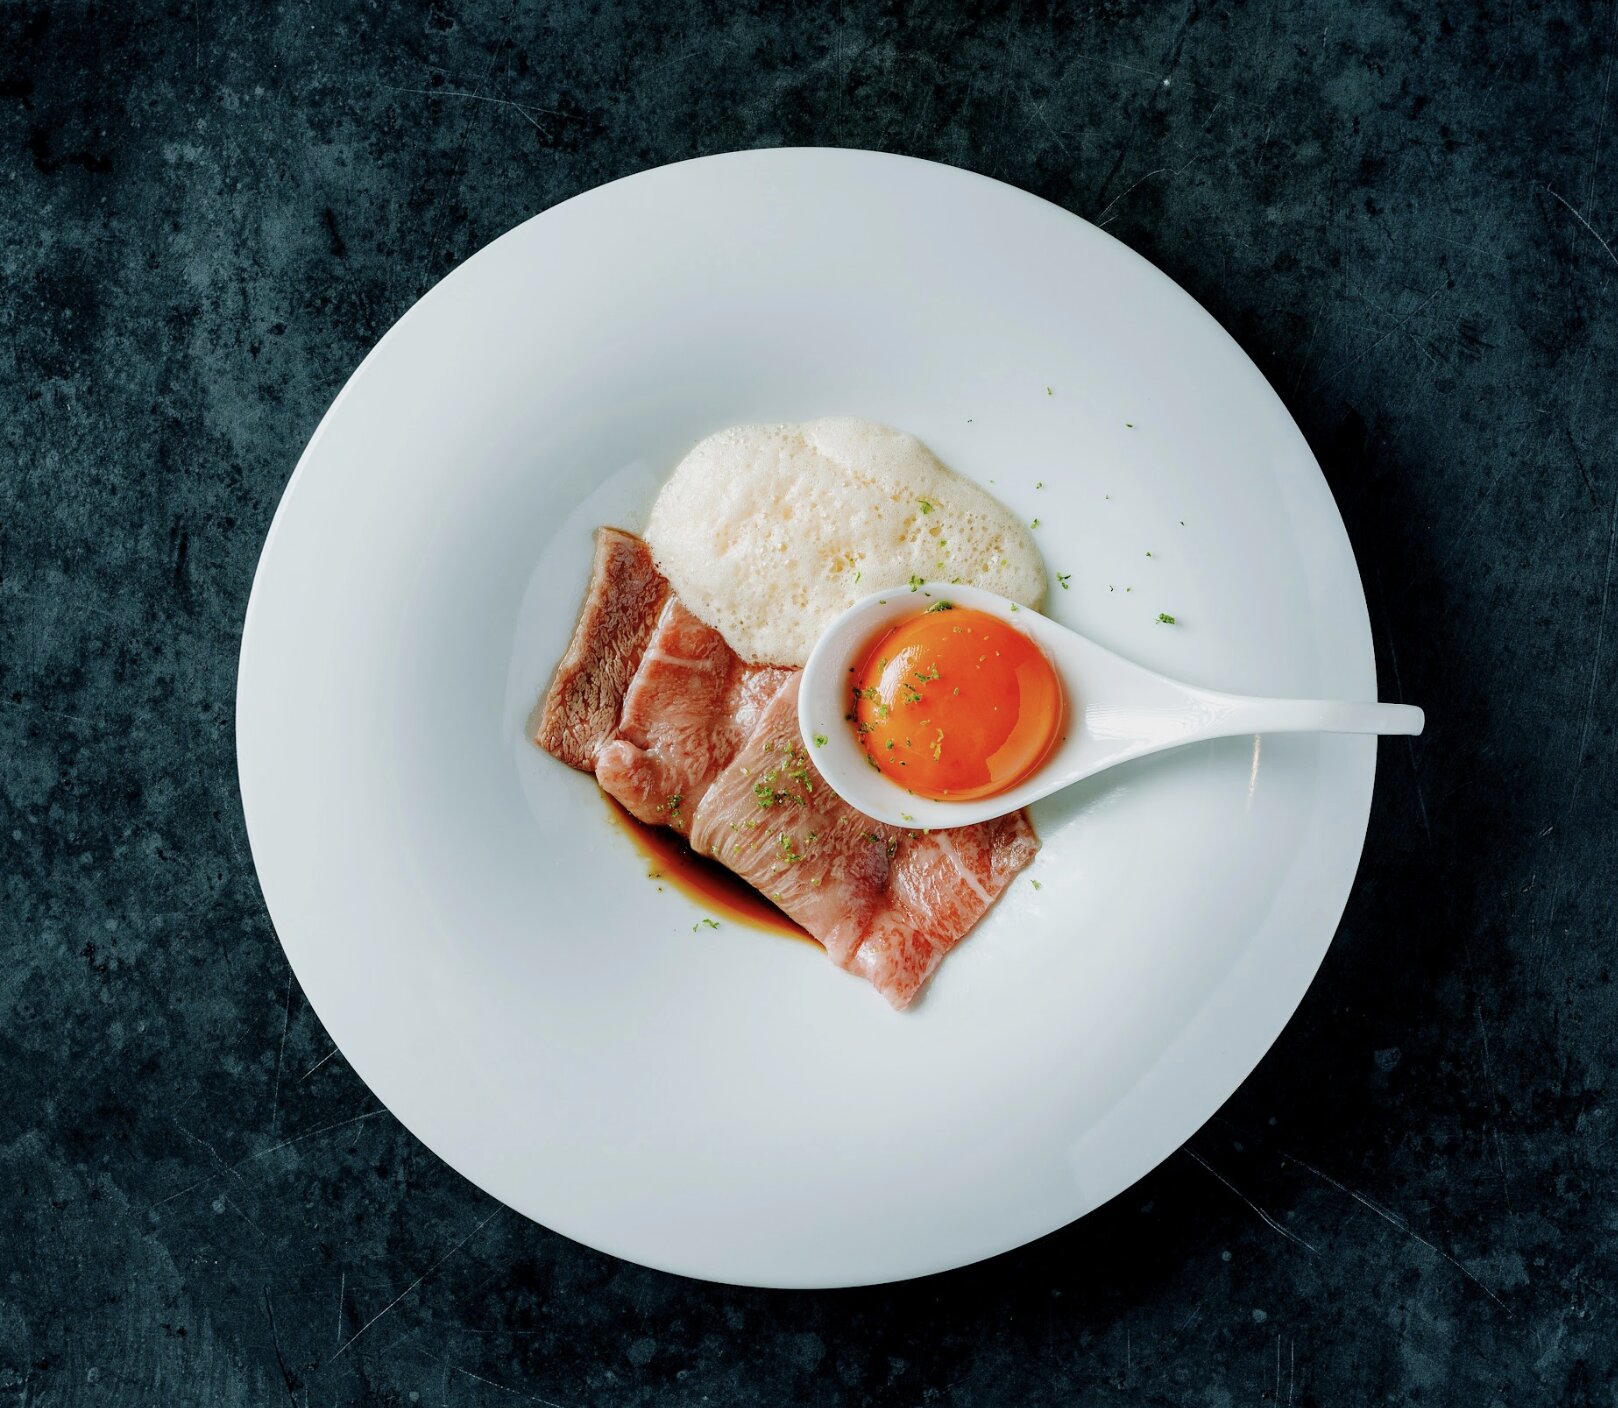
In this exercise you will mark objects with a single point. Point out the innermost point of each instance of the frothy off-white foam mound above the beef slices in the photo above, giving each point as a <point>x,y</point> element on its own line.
<point>771,532</point>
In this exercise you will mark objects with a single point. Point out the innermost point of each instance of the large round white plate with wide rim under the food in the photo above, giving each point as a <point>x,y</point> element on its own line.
<point>483,943</point>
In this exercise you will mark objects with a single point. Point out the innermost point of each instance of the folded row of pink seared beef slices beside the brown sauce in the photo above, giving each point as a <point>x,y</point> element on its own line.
<point>685,734</point>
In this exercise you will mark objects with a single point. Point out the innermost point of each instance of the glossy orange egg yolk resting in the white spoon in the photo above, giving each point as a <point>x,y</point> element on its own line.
<point>957,705</point>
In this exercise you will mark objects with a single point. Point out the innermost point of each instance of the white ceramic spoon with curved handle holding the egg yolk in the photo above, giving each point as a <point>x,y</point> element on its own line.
<point>1117,710</point>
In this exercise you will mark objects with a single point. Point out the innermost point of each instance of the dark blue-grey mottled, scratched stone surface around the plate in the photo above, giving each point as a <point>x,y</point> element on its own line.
<point>1407,214</point>
